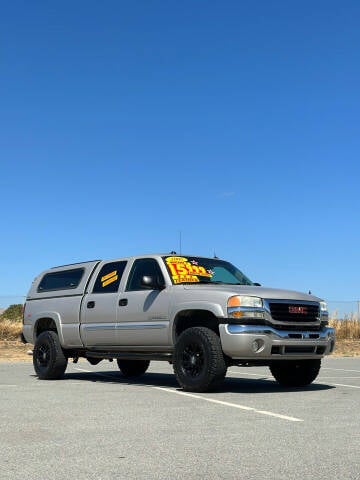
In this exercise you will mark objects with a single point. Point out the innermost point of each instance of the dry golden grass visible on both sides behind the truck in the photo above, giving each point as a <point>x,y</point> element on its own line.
<point>11,349</point>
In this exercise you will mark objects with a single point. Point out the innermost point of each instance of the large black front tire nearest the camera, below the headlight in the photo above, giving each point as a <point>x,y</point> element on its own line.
<point>198,361</point>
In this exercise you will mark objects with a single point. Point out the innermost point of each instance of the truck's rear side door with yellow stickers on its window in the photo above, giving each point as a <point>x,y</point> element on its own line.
<point>99,308</point>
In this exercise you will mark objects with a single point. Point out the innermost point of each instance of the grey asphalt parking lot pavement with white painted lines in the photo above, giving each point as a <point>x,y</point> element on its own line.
<point>95,425</point>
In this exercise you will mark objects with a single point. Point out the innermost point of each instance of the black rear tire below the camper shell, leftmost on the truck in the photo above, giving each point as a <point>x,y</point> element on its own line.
<point>48,357</point>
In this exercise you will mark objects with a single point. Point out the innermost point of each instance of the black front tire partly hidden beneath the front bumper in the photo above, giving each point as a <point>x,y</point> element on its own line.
<point>295,373</point>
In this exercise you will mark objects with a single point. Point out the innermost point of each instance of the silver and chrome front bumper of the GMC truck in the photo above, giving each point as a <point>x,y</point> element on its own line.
<point>262,342</point>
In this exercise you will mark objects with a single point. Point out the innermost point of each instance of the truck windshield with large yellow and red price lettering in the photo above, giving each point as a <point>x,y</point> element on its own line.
<point>203,270</point>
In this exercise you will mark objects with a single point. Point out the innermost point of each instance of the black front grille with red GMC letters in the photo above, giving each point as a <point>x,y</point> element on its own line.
<point>294,312</point>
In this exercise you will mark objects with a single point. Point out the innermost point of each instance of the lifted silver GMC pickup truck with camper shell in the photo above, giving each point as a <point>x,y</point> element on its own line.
<point>200,314</point>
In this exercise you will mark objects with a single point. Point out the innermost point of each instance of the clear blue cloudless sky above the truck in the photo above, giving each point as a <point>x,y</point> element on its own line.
<point>235,122</point>
